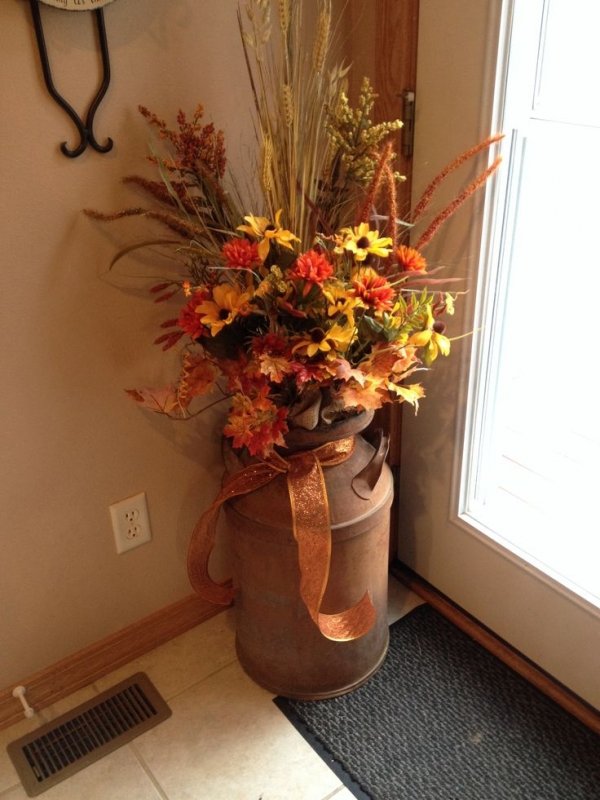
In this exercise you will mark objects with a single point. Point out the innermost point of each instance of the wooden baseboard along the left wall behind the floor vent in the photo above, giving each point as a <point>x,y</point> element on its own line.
<point>84,667</point>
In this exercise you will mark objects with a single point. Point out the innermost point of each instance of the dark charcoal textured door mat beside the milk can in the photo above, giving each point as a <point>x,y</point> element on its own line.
<point>443,719</point>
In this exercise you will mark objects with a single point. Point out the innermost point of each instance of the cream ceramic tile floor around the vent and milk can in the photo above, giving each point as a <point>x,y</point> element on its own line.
<point>226,740</point>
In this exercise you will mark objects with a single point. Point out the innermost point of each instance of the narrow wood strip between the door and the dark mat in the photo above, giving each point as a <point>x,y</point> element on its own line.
<point>548,685</point>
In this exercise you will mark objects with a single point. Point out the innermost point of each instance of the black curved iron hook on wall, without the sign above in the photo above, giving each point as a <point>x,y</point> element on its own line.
<point>86,131</point>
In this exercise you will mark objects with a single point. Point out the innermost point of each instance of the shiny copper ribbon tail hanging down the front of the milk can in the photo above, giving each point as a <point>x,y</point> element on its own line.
<point>310,515</point>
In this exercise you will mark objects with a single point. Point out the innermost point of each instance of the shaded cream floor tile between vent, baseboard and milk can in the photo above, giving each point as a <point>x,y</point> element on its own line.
<point>184,660</point>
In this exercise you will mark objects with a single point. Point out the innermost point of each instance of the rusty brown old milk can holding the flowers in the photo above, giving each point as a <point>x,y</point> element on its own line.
<point>278,643</point>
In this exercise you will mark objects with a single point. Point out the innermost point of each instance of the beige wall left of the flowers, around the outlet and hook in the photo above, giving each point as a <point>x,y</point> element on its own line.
<point>72,339</point>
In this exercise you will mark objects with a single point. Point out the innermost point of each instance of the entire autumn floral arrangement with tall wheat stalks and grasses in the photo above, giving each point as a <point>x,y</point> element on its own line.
<point>308,305</point>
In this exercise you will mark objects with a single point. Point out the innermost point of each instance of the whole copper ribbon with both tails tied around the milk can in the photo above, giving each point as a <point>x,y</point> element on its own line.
<point>310,520</point>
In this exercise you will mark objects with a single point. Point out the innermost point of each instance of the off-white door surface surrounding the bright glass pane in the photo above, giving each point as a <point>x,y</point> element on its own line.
<point>455,77</point>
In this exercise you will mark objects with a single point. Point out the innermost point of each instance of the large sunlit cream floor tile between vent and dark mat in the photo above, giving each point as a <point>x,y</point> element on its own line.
<point>227,740</point>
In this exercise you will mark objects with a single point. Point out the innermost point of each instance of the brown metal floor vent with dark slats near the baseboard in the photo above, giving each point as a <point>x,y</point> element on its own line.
<point>86,734</point>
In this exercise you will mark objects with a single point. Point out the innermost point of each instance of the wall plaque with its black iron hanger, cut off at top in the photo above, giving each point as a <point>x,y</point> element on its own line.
<point>85,127</point>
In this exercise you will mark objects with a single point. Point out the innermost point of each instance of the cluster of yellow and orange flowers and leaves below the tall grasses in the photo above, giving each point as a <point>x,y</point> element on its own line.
<point>302,336</point>
